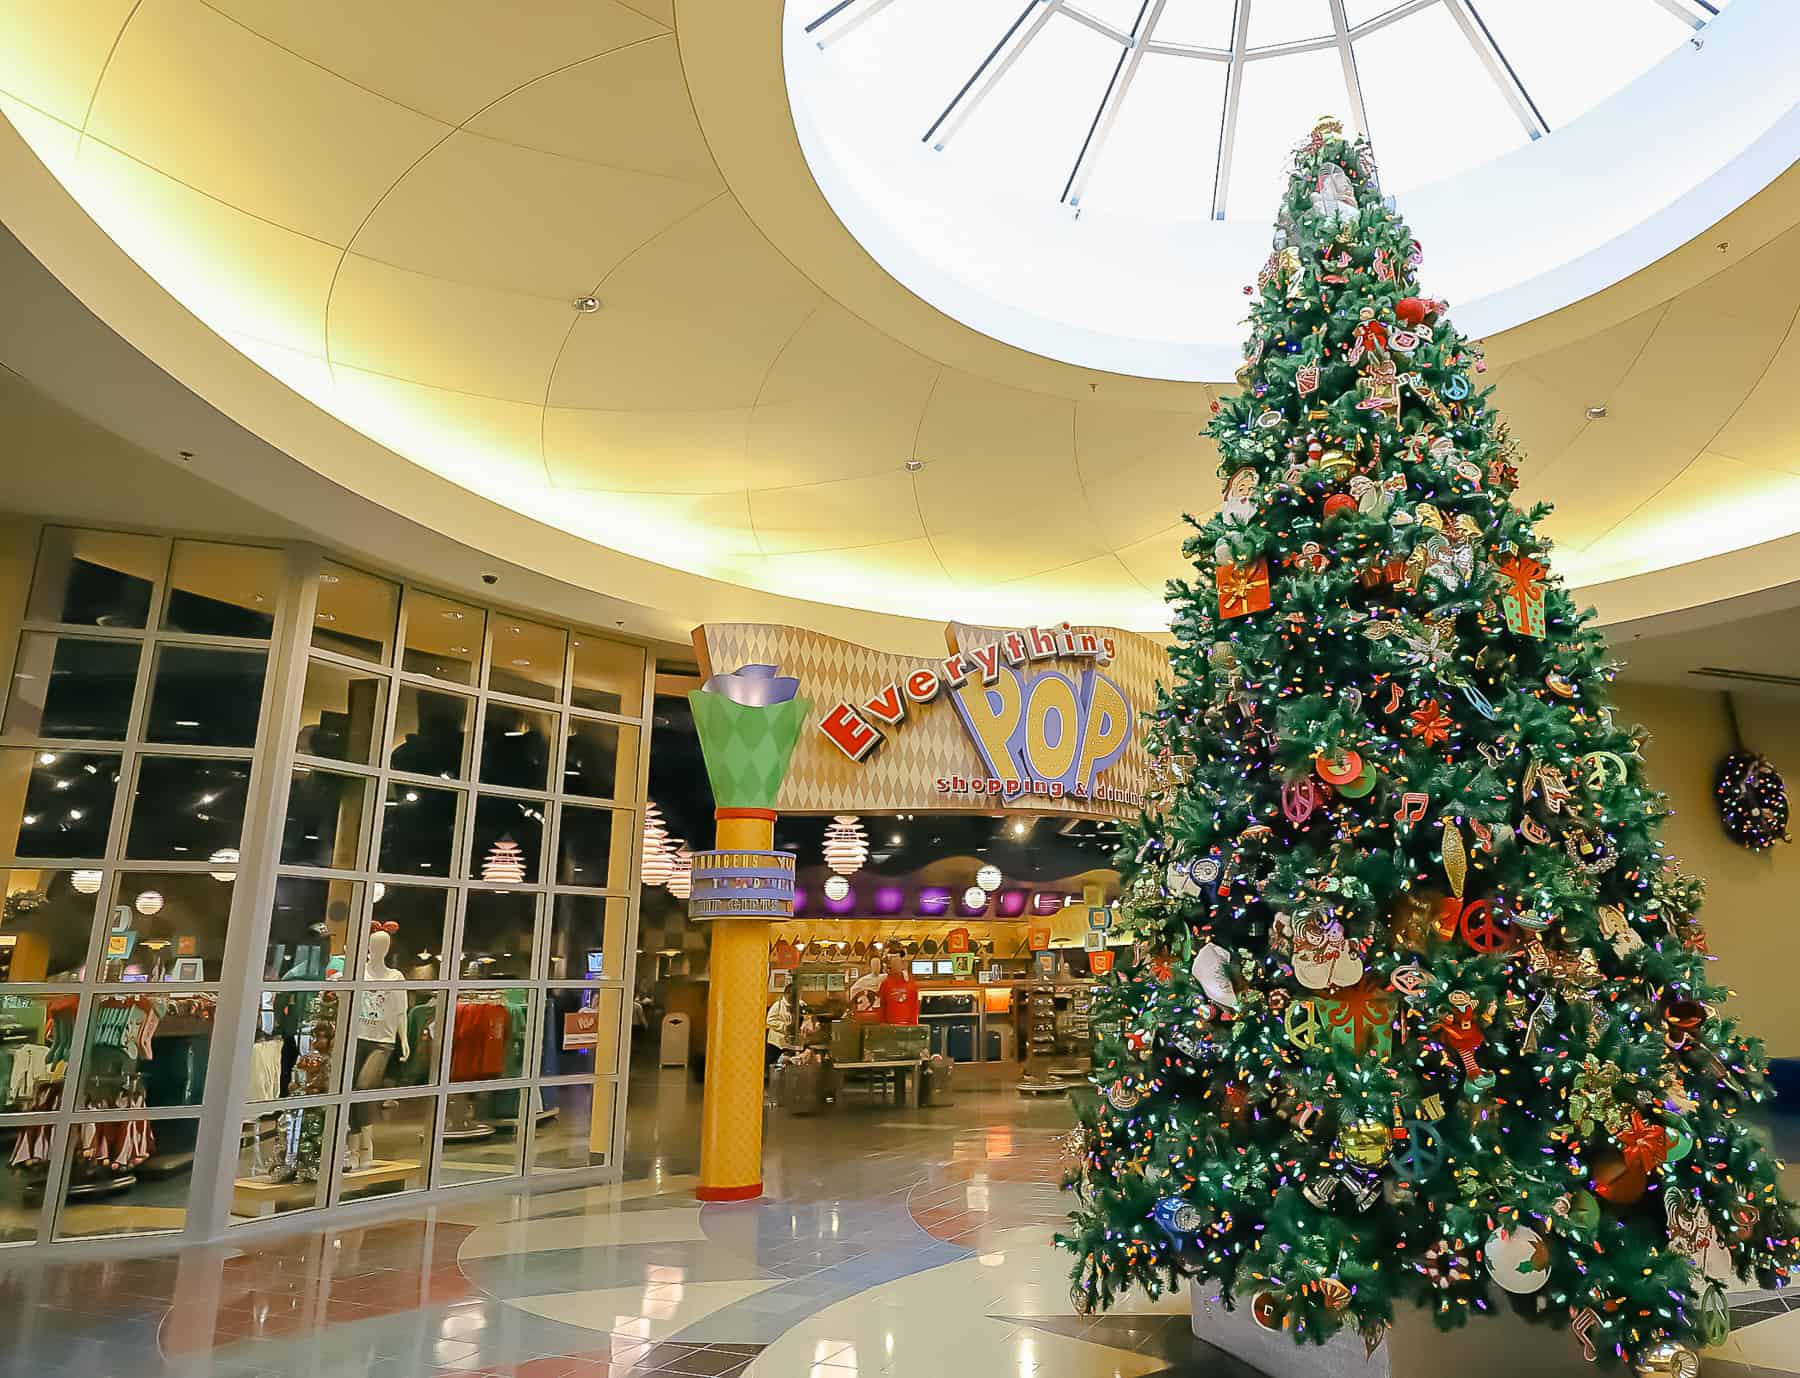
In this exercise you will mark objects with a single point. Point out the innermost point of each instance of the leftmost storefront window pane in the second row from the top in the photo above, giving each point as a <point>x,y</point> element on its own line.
<point>73,688</point>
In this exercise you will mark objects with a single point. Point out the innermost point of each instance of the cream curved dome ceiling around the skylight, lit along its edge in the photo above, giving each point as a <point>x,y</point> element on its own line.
<point>391,210</point>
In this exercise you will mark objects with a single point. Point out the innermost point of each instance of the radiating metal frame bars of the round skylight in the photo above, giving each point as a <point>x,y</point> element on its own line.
<point>845,15</point>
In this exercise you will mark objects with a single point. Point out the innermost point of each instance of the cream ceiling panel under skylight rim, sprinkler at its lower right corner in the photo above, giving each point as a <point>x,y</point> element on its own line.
<point>840,400</point>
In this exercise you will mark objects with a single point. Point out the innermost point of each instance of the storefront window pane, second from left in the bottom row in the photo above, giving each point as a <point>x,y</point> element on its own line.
<point>103,1194</point>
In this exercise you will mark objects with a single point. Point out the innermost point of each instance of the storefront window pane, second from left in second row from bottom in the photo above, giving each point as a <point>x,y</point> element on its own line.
<point>147,1050</point>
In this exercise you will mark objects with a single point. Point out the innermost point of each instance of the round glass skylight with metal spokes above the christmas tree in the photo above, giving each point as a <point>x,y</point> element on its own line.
<point>1185,109</point>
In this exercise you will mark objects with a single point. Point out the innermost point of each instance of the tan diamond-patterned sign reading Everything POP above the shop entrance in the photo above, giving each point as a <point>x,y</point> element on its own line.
<point>1036,719</point>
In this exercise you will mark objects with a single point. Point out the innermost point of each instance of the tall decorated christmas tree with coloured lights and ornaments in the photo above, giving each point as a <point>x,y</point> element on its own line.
<point>1421,1016</point>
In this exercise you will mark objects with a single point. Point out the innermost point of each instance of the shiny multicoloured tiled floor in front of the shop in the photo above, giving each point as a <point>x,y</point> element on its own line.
<point>892,1242</point>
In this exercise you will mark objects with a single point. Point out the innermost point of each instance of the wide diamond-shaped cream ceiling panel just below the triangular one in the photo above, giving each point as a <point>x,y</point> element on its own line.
<point>541,224</point>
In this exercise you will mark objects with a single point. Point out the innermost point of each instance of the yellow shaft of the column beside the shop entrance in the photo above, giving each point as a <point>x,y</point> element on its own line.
<point>732,1111</point>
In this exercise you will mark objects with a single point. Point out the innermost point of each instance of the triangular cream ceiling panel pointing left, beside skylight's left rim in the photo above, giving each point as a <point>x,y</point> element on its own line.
<point>625,109</point>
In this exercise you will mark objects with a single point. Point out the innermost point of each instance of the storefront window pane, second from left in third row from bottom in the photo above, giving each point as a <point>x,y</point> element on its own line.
<point>166,927</point>
